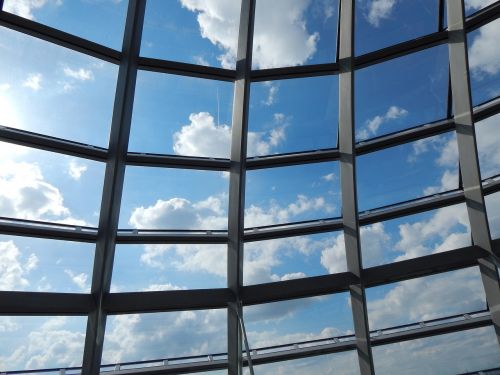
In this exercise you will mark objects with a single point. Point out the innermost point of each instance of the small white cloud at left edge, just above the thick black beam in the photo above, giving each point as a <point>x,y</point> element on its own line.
<point>13,269</point>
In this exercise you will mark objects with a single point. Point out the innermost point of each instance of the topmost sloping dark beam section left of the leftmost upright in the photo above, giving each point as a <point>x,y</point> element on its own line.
<point>59,37</point>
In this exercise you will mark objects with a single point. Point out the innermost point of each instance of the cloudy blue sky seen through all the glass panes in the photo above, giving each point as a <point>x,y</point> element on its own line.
<point>50,90</point>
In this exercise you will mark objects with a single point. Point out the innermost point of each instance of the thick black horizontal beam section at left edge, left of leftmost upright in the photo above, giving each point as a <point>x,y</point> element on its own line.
<point>37,303</point>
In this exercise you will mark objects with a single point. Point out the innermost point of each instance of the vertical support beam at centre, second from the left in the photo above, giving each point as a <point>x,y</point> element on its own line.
<point>237,183</point>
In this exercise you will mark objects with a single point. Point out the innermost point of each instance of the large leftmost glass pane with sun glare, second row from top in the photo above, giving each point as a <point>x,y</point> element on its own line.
<point>52,90</point>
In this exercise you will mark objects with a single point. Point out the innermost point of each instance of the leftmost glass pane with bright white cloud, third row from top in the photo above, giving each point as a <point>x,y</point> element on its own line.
<point>41,185</point>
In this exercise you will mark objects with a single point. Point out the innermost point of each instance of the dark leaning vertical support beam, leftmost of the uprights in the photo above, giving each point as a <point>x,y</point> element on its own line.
<point>113,185</point>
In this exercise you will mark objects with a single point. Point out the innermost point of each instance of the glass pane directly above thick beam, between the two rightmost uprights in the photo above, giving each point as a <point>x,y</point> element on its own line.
<point>415,236</point>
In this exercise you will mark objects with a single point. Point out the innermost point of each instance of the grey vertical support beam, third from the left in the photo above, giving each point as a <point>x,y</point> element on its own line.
<point>348,185</point>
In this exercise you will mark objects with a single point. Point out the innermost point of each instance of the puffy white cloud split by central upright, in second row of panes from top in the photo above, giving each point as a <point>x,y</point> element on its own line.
<point>202,137</point>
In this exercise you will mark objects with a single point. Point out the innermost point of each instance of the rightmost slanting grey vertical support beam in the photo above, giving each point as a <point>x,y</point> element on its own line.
<point>468,155</point>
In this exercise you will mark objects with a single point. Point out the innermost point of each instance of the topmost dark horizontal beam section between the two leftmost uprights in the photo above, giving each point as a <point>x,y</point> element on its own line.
<point>185,69</point>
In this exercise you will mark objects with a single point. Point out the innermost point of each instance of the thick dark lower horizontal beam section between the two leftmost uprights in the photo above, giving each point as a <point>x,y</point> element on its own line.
<point>168,300</point>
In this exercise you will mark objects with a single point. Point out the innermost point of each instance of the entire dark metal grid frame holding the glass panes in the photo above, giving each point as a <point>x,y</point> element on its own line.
<point>100,303</point>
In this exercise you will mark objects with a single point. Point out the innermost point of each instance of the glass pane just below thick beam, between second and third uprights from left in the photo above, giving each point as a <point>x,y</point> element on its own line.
<point>293,321</point>
